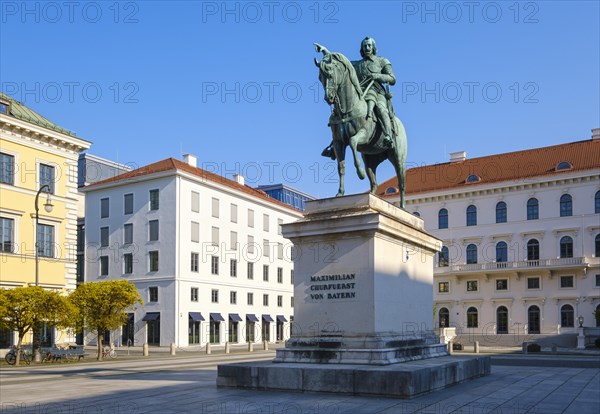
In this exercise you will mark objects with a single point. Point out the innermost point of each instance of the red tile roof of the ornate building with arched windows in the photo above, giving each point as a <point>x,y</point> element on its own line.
<point>510,166</point>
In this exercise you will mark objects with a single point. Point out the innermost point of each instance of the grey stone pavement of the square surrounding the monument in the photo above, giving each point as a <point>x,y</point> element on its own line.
<point>186,384</point>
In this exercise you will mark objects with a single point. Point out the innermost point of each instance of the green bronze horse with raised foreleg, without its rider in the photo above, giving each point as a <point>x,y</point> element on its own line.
<point>350,126</point>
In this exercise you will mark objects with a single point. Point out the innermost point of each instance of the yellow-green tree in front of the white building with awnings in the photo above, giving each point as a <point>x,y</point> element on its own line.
<point>102,305</point>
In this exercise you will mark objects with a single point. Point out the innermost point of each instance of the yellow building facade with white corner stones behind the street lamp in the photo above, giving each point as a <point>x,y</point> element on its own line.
<point>35,152</point>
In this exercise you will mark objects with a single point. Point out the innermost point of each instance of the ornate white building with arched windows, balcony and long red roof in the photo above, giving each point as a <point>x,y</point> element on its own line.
<point>521,235</point>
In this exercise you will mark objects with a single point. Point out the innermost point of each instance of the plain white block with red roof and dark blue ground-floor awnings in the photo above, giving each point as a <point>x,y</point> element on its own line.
<point>206,254</point>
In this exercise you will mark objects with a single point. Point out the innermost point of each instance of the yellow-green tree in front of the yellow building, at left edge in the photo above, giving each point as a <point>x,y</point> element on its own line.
<point>21,307</point>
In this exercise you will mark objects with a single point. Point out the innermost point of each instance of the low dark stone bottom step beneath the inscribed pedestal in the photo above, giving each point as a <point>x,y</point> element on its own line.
<point>406,380</point>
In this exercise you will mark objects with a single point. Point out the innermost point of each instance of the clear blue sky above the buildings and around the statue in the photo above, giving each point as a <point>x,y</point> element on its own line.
<point>234,82</point>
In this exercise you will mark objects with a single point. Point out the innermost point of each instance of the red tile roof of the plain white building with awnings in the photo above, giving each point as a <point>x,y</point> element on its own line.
<point>171,164</point>
